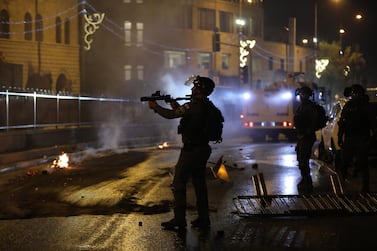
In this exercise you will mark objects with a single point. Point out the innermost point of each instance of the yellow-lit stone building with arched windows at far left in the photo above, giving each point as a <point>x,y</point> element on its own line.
<point>39,45</point>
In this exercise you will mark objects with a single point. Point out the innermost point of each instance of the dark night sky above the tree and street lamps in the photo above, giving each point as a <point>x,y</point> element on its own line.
<point>331,15</point>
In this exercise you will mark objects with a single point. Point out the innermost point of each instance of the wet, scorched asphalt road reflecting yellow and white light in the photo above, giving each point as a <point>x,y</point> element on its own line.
<point>117,200</point>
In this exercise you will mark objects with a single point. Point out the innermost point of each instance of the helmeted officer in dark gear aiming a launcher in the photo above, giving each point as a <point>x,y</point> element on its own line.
<point>193,155</point>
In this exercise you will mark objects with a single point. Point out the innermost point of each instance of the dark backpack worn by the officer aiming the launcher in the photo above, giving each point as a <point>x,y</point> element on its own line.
<point>214,123</point>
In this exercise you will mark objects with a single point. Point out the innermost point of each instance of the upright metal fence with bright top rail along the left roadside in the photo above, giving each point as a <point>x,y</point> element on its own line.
<point>23,109</point>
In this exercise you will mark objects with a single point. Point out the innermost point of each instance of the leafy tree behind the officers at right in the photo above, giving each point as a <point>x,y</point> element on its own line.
<point>345,67</point>
